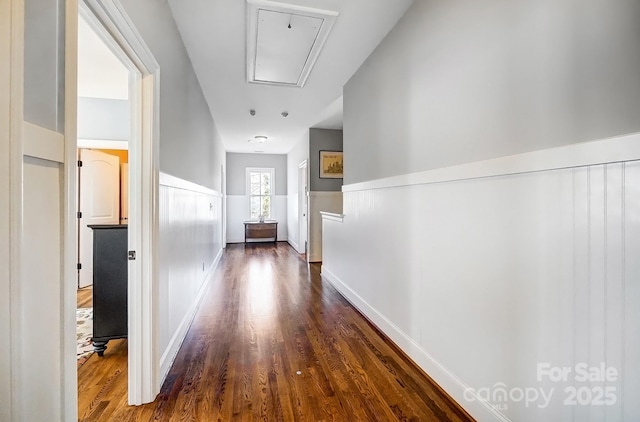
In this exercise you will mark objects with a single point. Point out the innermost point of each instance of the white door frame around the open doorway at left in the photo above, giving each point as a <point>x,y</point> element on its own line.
<point>110,21</point>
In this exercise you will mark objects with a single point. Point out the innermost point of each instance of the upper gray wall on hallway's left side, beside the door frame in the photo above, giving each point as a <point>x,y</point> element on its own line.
<point>190,146</point>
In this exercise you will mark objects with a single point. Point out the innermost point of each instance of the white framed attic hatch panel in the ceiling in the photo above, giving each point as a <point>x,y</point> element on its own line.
<point>284,41</point>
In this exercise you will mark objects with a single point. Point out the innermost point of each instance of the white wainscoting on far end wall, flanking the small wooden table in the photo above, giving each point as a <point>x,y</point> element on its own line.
<point>238,213</point>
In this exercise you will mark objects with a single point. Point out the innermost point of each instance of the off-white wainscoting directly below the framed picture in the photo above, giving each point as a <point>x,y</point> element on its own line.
<point>320,201</point>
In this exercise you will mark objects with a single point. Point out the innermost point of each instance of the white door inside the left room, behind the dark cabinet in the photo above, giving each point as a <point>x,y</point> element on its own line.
<point>99,192</point>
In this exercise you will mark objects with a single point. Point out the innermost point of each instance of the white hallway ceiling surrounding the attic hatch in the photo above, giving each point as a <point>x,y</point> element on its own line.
<point>215,35</point>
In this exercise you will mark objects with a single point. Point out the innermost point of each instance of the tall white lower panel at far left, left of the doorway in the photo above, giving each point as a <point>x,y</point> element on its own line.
<point>40,324</point>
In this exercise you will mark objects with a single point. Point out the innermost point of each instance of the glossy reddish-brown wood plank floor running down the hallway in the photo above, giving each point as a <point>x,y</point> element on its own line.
<point>272,342</point>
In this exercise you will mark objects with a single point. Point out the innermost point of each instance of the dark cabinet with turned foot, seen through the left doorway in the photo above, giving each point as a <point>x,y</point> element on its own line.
<point>110,284</point>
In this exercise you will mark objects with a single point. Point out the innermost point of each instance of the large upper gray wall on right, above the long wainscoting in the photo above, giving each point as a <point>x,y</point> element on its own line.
<point>461,81</point>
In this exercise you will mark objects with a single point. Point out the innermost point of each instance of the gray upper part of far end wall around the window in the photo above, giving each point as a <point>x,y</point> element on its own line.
<point>237,164</point>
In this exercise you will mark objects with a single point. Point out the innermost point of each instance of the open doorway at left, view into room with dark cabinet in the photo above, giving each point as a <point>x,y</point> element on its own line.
<point>103,129</point>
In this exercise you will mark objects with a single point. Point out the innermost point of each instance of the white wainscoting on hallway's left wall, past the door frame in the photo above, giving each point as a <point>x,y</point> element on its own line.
<point>190,249</point>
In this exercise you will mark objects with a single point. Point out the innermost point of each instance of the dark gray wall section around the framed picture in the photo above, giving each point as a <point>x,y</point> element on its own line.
<point>323,139</point>
